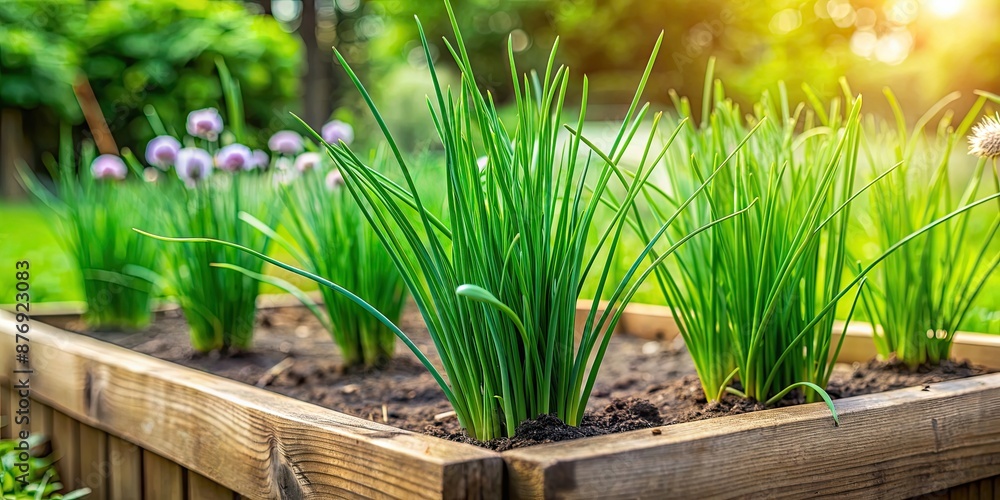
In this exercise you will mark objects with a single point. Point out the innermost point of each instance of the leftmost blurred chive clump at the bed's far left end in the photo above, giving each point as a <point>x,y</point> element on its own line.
<point>95,206</point>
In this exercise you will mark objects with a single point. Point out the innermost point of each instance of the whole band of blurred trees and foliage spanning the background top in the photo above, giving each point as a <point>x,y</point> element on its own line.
<point>162,52</point>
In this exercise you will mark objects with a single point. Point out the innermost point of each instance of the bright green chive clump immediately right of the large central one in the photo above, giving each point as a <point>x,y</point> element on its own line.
<point>755,298</point>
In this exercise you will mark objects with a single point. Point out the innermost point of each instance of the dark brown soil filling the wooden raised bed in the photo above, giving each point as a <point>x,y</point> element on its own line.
<point>642,383</point>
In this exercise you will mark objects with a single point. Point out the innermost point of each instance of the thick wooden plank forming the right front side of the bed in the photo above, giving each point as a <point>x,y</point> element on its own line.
<point>952,436</point>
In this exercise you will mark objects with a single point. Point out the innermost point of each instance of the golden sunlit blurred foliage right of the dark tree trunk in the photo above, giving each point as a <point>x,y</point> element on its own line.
<point>922,48</point>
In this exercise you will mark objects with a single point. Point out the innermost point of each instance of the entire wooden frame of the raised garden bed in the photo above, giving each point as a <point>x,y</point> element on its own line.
<point>132,426</point>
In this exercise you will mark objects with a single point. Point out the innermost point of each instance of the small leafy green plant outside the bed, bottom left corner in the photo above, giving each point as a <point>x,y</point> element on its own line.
<point>40,481</point>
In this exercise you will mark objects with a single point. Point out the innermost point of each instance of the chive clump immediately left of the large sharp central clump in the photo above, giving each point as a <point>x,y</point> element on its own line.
<point>330,237</point>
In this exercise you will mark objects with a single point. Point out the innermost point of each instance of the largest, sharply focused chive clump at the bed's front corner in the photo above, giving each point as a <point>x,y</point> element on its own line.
<point>497,286</point>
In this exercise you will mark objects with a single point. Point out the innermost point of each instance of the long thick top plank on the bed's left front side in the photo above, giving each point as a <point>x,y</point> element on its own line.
<point>254,442</point>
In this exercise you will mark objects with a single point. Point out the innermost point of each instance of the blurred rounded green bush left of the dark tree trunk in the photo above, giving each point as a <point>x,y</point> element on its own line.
<point>141,52</point>
